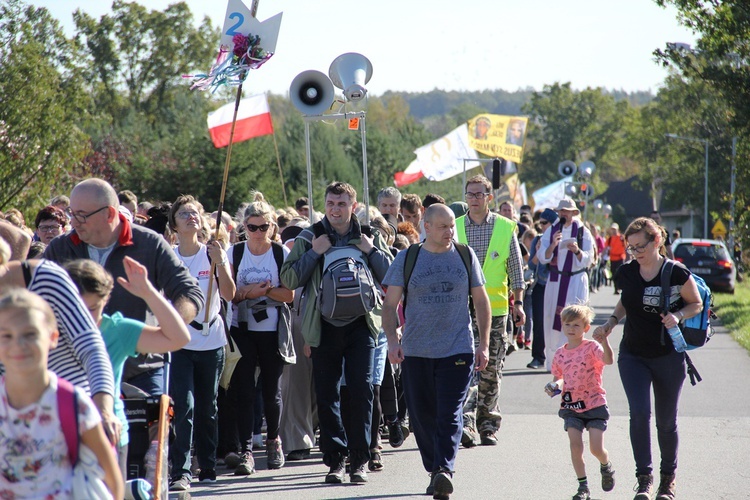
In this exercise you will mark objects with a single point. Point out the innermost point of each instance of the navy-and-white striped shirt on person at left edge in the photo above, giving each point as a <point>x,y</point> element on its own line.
<point>80,356</point>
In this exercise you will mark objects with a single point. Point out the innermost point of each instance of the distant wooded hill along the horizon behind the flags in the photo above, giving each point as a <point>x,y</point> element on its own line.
<point>502,102</point>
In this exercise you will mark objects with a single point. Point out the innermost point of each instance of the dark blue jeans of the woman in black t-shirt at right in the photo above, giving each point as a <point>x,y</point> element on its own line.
<point>666,374</point>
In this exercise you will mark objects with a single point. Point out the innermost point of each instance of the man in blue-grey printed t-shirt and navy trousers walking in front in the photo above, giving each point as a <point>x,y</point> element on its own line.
<point>434,281</point>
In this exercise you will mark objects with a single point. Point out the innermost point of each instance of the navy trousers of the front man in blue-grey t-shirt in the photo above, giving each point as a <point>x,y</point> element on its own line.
<point>435,390</point>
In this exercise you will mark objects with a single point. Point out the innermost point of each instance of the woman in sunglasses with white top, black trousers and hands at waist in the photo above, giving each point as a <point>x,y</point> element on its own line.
<point>259,304</point>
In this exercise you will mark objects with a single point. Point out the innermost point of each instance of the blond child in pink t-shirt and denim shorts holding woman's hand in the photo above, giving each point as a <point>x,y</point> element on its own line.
<point>577,375</point>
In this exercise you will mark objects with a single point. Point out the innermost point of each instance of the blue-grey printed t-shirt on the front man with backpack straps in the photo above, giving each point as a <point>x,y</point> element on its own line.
<point>438,324</point>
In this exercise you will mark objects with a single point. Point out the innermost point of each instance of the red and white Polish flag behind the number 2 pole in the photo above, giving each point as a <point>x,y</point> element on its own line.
<point>253,120</point>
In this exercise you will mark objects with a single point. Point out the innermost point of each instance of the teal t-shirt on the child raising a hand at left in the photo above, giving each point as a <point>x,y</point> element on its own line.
<point>121,338</point>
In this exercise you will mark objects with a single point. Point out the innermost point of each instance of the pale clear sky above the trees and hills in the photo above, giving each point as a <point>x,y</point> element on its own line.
<point>419,45</point>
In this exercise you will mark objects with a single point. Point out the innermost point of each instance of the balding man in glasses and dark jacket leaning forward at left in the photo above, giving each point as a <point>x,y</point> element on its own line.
<point>102,234</point>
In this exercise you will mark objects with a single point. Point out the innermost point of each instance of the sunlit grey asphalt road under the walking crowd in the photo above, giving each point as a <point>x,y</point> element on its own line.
<point>532,458</point>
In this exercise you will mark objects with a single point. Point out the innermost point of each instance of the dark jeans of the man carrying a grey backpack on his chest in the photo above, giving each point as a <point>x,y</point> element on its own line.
<point>354,344</point>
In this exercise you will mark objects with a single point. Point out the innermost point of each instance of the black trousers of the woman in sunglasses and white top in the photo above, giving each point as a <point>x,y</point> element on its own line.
<point>257,349</point>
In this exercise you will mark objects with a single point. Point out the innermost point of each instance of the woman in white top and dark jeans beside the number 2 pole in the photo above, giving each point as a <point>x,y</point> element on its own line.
<point>197,366</point>
